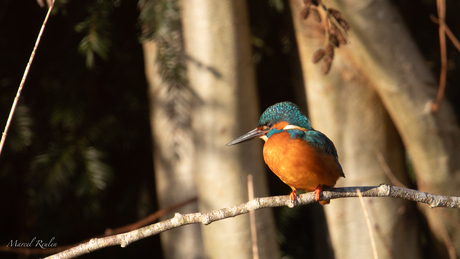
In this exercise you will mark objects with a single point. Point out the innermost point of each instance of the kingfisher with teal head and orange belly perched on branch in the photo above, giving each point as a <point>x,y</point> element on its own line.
<point>303,158</point>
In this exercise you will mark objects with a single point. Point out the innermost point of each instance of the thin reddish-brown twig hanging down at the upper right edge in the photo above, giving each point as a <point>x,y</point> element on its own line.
<point>441,5</point>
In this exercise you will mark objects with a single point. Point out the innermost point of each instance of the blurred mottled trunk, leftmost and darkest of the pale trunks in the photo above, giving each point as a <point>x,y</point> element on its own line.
<point>173,156</point>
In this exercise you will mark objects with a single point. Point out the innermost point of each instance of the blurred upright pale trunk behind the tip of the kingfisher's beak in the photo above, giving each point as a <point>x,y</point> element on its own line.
<point>220,71</point>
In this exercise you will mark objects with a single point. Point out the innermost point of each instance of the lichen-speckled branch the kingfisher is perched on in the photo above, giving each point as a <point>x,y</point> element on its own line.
<point>206,218</point>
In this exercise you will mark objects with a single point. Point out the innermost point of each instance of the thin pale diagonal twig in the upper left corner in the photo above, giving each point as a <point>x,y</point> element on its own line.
<point>26,72</point>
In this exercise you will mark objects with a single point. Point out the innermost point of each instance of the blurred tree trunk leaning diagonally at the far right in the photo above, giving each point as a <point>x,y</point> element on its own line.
<point>407,88</point>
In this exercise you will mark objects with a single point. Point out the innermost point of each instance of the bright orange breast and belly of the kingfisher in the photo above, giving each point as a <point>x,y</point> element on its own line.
<point>298,164</point>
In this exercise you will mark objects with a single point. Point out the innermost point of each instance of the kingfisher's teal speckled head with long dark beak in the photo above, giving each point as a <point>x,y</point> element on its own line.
<point>276,118</point>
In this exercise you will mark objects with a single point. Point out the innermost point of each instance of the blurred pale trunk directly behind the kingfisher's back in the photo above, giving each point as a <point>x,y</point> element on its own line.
<point>346,106</point>
